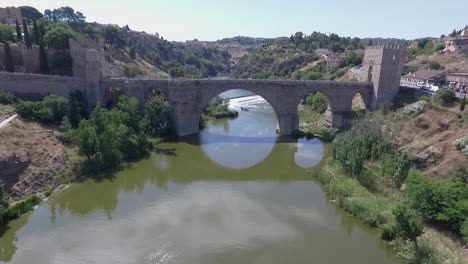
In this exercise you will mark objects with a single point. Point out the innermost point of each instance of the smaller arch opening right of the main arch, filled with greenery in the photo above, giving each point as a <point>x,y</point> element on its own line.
<point>315,110</point>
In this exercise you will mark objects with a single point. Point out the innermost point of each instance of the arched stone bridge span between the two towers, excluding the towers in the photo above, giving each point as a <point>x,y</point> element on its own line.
<point>188,98</point>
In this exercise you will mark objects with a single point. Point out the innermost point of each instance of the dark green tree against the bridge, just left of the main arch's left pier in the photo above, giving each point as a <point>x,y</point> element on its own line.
<point>157,115</point>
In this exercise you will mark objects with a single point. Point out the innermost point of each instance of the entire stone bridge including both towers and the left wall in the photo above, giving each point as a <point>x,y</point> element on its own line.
<point>379,83</point>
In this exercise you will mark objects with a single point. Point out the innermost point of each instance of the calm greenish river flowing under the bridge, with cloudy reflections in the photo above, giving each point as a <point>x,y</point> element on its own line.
<point>232,194</point>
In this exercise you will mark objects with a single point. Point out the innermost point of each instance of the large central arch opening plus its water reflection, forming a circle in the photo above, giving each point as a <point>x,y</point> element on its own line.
<point>241,140</point>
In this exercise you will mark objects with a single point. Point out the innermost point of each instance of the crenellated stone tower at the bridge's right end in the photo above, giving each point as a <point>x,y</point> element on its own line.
<point>382,66</point>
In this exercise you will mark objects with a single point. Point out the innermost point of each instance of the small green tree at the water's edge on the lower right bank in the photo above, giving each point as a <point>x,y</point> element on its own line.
<point>409,225</point>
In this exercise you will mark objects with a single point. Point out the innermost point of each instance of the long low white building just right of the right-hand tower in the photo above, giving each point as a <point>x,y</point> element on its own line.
<point>423,78</point>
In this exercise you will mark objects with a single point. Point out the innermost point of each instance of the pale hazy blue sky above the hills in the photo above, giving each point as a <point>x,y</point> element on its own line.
<point>216,19</point>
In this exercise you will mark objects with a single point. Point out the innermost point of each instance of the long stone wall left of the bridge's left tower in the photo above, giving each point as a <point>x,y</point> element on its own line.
<point>36,86</point>
